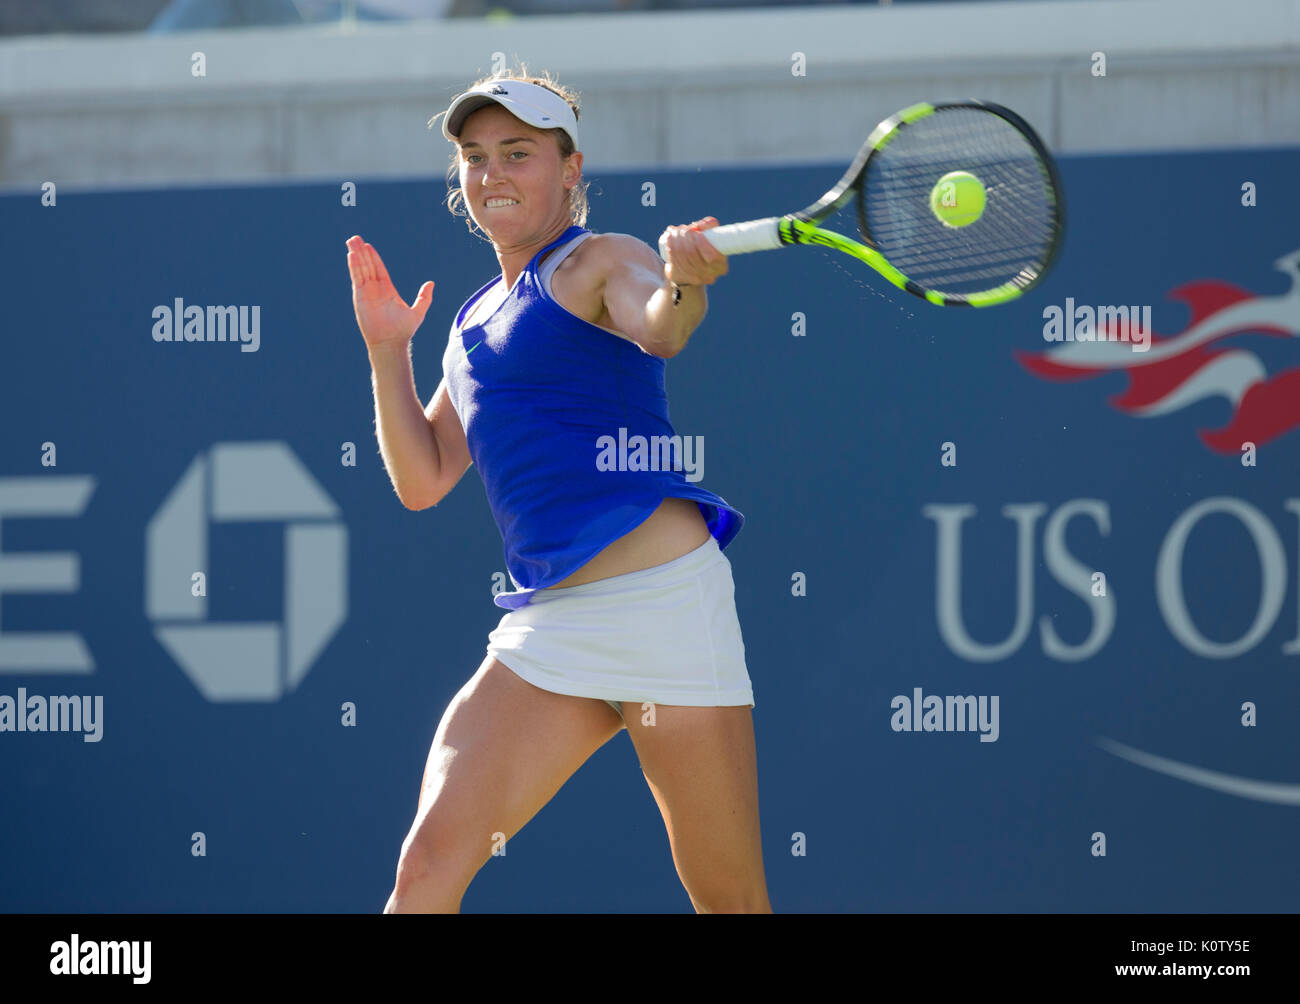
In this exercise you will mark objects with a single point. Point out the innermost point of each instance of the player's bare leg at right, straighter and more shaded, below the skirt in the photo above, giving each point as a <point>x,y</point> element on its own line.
<point>701,767</point>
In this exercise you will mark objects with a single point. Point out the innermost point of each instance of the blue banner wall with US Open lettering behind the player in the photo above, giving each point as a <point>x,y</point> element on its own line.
<point>1150,715</point>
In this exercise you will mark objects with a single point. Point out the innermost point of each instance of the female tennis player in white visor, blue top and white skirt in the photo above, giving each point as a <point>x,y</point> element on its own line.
<point>623,613</point>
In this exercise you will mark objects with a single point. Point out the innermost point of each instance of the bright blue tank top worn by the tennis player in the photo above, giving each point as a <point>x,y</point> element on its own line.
<point>553,409</point>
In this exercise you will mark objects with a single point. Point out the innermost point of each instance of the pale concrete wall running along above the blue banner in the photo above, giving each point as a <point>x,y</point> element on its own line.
<point>658,89</point>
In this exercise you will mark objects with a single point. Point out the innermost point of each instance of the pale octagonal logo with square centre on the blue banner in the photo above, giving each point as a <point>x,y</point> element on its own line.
<point>246,483</point>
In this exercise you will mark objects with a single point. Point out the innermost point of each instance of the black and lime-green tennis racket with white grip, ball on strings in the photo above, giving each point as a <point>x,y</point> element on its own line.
<point>959,204</point>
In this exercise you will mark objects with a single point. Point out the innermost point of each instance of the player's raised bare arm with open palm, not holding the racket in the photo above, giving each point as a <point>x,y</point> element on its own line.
<point>424,449</point>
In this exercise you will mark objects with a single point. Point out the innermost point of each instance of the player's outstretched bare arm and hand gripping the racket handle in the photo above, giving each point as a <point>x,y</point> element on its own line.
<point>639,287</point>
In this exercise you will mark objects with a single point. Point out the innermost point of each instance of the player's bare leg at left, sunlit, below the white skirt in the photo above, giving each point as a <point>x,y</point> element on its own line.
<point>502,751</point>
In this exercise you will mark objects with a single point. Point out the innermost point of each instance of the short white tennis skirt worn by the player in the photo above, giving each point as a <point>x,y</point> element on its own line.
<point>668,635</point>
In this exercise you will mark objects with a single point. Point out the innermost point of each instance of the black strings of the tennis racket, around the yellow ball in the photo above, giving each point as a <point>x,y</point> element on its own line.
<point>1013,237</point>
